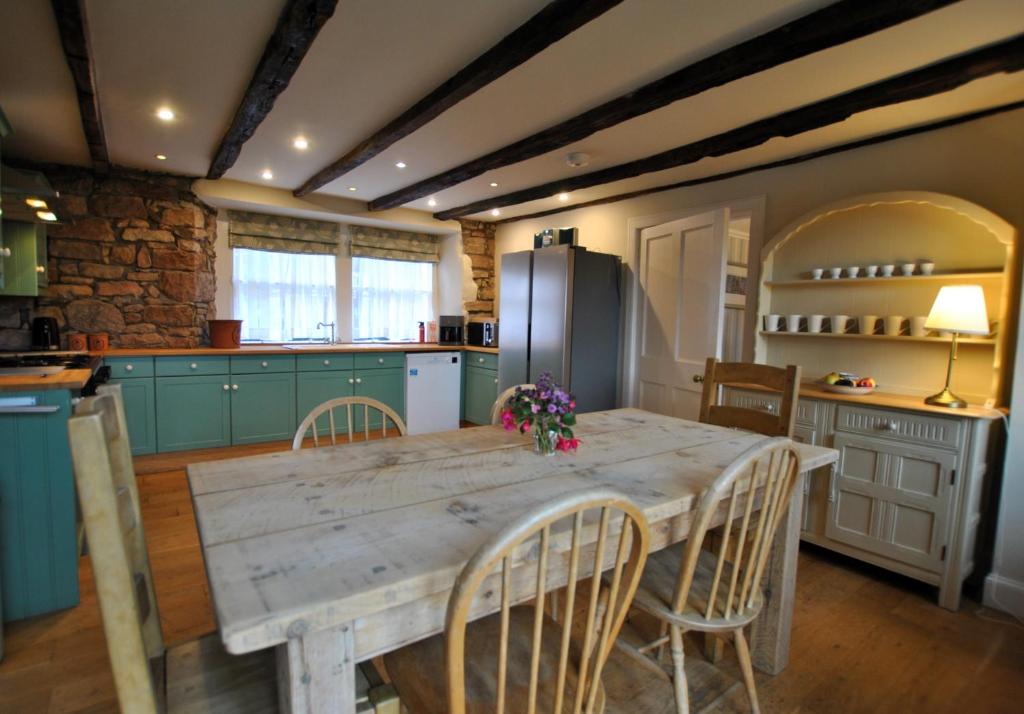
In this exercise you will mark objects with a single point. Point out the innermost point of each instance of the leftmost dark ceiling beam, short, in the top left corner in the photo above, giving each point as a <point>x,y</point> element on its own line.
<point>74,31</point>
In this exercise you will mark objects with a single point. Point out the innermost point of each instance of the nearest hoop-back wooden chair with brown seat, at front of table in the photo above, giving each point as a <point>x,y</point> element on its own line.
<point>520,659</point>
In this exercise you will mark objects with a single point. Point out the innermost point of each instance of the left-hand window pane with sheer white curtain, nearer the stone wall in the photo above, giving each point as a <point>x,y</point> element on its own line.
<point>280,298</point>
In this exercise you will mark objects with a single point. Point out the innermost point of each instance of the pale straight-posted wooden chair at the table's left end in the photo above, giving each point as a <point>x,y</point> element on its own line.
<point>149,680</point>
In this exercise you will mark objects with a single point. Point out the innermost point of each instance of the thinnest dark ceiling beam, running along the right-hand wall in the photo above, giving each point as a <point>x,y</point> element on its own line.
<point>861,144</point>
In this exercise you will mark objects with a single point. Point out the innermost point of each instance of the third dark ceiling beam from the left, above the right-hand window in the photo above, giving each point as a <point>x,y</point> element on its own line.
<point>559,19</point>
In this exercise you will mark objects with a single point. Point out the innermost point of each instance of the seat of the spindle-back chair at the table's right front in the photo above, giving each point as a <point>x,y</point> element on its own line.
<point>658,587</point>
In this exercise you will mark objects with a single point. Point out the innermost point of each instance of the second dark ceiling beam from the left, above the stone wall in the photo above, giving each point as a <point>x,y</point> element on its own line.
<point>297,27</point>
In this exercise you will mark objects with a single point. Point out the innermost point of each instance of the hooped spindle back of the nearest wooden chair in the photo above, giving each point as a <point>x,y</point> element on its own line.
<point>576,686</point>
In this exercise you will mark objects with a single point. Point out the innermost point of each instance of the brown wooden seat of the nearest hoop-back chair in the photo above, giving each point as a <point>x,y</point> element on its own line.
<point>418,671</point>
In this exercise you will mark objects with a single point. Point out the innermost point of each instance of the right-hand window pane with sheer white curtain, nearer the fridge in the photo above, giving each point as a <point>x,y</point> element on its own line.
<point>390,298</point>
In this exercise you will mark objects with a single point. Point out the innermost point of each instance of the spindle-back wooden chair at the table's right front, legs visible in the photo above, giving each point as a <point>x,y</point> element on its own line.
<point>718,592</point>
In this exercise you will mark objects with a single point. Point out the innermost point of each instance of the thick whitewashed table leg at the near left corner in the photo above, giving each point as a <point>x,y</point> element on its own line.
<point>317,673</point>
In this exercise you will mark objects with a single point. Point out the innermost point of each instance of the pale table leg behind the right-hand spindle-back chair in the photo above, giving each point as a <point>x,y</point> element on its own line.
<point>771,637</point>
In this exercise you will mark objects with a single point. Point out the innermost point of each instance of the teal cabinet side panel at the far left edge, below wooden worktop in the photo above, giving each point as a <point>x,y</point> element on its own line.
<point>38,538</point>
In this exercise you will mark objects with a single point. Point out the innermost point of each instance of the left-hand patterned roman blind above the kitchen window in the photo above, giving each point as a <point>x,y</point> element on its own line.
<point>283,234</point>
